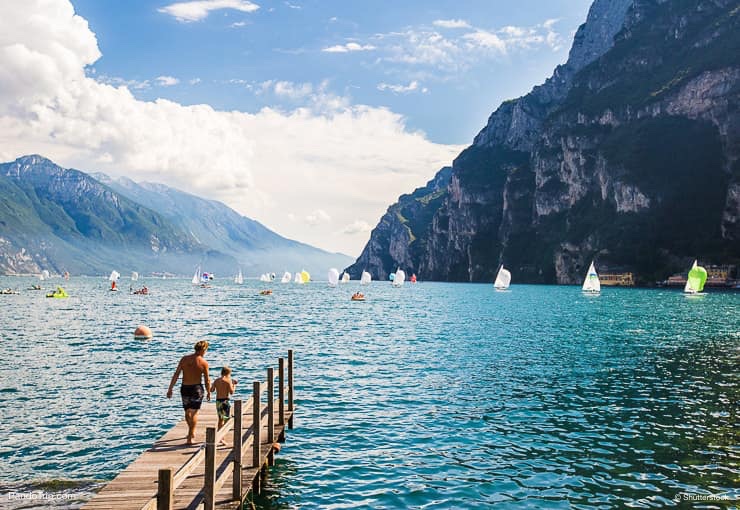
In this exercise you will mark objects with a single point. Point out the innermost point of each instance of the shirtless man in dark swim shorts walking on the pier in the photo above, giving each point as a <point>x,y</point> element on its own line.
<point>193,368</point>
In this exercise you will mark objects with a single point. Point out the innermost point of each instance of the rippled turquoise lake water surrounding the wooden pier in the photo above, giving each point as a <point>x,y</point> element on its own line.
<point>428,396</point>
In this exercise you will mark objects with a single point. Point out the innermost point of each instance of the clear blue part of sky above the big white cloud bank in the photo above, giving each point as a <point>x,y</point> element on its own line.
<point>225,58</point>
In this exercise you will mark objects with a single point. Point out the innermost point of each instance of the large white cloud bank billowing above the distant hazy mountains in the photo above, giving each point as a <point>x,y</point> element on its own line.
<point>267,165</point>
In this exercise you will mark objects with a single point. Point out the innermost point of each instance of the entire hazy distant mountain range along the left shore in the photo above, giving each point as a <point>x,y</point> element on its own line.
<point>65,220</point>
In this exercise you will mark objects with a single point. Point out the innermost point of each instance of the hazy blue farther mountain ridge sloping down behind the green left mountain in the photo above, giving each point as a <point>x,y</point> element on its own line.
<point>256,248</point>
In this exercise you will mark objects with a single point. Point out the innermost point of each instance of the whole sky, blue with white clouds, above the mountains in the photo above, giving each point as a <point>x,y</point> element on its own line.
<point>310,116</point>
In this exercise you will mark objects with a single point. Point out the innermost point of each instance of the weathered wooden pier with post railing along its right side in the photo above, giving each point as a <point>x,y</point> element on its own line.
<point>171,475</point>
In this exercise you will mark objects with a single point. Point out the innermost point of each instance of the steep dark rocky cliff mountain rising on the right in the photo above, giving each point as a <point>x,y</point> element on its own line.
<point>628,155</point>
